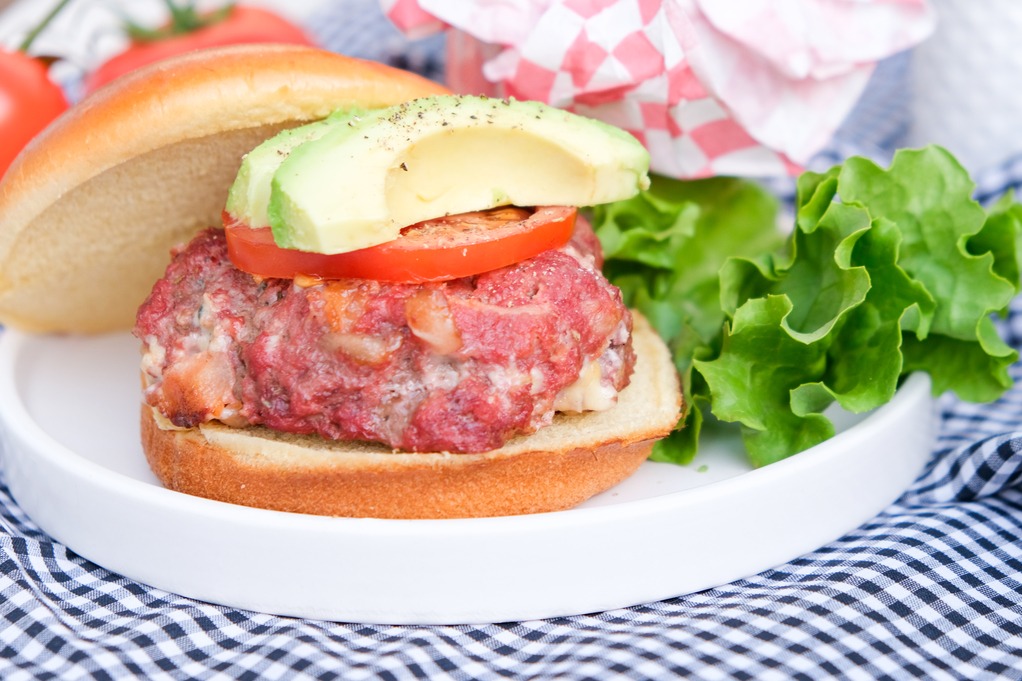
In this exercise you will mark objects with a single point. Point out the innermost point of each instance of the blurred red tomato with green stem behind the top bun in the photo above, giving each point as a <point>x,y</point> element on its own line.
<point>190,31</point>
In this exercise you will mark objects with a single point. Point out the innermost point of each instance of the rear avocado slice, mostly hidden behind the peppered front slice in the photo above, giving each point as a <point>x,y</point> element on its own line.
<point>250,196</point>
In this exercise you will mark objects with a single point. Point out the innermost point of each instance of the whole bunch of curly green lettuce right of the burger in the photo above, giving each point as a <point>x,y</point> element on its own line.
<point>884,274</point>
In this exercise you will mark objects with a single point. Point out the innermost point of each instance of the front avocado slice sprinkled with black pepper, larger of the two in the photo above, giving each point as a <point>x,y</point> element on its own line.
<point>361,183</point>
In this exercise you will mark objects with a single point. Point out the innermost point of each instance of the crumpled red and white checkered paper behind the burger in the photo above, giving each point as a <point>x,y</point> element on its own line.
<point>713,87</point>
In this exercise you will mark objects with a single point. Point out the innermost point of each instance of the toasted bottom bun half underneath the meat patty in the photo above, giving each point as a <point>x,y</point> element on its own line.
<point>558,468</point>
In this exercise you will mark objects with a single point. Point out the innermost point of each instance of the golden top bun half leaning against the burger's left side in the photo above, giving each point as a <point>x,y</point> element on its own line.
<point>90,211</point>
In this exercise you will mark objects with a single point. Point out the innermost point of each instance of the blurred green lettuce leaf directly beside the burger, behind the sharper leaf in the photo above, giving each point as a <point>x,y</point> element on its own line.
<point>664,249</point>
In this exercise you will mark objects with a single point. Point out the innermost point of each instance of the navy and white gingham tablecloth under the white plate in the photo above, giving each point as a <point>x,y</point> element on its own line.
<point>930,589</point>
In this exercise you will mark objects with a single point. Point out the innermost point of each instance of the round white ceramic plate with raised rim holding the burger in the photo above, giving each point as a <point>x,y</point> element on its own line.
<point>68,416</point>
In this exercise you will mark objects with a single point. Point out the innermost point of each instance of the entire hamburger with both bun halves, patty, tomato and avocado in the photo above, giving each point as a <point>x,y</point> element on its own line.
<point>523,387</point>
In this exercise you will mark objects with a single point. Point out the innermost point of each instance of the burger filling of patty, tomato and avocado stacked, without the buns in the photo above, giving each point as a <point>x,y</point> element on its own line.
<point>460,357</point>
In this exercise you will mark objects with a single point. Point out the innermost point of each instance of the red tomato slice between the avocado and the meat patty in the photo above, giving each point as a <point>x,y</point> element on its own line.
<point>440,250</point>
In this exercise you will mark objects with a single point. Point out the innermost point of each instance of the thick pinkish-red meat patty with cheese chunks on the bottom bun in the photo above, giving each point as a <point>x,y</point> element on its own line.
<point>459,367</point>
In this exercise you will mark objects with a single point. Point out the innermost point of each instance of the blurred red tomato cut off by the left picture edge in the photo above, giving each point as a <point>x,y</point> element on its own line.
<point>29,102</point>
